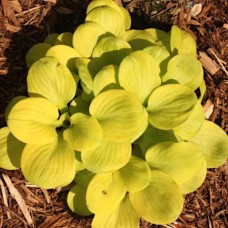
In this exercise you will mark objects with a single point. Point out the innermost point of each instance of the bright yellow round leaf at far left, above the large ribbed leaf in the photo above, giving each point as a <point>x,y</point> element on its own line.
<point>34,120</point>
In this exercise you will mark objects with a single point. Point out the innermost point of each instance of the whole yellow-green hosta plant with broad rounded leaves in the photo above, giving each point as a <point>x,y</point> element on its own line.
<point>114,111</point>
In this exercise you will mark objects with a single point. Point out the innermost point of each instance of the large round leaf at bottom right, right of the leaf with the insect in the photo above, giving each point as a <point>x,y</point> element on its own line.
<point>159,203</point>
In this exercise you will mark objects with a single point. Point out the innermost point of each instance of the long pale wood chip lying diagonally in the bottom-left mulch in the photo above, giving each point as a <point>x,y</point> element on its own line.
<point>17,196</point>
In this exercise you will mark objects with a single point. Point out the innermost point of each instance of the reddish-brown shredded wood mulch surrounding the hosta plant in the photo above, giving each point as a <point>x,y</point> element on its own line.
<point>26,22</point>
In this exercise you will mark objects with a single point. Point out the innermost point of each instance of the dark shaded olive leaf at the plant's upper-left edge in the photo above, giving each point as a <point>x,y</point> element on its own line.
<point>36,52</point>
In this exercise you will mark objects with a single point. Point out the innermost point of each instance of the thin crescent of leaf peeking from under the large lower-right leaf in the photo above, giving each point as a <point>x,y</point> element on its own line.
<point>195,182</point>
